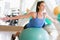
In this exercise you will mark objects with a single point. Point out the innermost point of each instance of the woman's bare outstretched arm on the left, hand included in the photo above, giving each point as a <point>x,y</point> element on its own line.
<point>18,17</point>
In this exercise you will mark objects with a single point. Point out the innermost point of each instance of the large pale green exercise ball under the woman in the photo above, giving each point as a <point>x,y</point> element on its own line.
<point>34,34</point>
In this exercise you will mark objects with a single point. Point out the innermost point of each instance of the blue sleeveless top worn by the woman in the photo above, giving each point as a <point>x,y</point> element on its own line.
<point>36,22</point>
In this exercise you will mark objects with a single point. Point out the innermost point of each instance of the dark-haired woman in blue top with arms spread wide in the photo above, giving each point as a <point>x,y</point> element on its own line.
<point>38,17</point>
